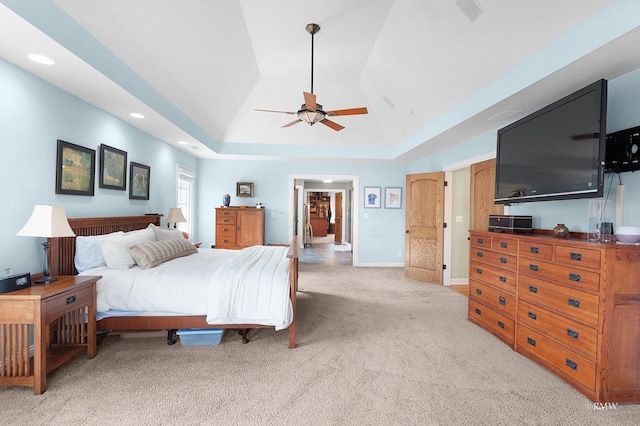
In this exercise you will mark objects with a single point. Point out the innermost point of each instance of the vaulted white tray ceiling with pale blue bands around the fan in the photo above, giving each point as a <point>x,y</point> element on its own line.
<point>429,76</point>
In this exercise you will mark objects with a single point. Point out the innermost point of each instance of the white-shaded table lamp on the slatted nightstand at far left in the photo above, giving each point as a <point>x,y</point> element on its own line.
<point>48,222</point>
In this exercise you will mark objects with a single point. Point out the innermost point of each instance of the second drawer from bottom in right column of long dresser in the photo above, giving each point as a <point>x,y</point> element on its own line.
<point>573,334</point>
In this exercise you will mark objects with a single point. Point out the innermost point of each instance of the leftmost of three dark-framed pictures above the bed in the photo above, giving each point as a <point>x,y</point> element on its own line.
<point>75,169</point>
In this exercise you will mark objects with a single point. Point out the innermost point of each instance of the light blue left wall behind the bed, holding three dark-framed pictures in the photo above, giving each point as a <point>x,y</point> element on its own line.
<point>33,116</point>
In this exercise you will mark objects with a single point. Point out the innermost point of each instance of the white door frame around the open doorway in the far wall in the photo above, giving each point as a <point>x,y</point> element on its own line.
<point>355,207</point>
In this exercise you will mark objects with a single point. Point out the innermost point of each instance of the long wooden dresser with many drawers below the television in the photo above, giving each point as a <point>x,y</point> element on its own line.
<point>567,304</point>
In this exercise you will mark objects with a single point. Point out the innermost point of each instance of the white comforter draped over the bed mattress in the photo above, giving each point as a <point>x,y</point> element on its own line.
<point>249,286</point>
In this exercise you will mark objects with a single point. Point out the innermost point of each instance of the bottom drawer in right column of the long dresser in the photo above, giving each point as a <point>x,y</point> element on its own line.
<point>567,364</point>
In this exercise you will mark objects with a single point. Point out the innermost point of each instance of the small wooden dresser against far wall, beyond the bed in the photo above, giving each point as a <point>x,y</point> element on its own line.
<point>239,227</point>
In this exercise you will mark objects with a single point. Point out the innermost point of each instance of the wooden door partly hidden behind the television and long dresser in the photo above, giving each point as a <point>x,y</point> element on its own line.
<point>482,181</point>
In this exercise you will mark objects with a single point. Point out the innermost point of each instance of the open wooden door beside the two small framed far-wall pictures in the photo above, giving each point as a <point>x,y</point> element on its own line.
<point>424,224</point>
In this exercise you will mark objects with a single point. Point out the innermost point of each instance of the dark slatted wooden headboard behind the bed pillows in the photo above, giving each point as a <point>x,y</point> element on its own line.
<point>62,251</point>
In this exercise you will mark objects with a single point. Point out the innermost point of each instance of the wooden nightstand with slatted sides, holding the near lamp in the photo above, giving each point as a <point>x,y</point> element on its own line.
<point>63,315</point>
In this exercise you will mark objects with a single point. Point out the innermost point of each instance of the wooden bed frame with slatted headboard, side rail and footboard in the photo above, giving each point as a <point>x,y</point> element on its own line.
<point>61,257</point>
